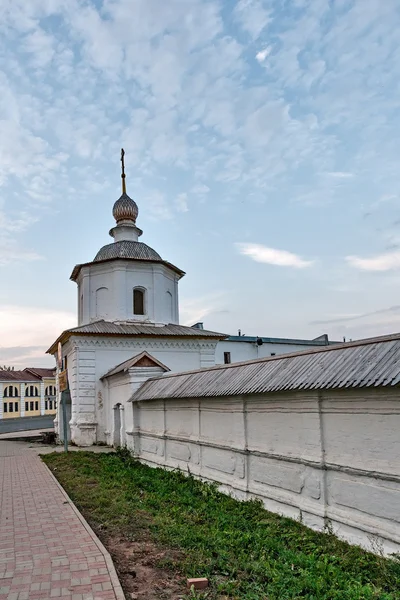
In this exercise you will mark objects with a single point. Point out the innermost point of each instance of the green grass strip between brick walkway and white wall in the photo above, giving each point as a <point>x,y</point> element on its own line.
<point>245,551</point>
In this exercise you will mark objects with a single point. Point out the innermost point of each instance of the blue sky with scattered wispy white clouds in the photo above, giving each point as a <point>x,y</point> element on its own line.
<point>262,142</point>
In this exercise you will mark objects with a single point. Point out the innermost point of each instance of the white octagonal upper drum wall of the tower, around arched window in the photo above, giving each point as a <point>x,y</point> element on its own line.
<point>105,291</point>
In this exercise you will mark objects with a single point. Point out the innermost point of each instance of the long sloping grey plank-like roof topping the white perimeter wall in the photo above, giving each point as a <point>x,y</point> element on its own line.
<point>366,363</point>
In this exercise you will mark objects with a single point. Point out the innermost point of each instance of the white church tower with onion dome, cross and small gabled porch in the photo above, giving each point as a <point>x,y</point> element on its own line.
<point>128,330</point>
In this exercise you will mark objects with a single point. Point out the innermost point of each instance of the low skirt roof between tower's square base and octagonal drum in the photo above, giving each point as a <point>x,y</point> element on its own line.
<point>135,329</point>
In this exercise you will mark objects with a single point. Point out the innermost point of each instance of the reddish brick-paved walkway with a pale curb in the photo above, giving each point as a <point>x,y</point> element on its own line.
<point>47,550</point>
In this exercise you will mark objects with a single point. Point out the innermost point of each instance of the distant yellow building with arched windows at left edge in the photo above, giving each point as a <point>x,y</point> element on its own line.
<point>27,393</point>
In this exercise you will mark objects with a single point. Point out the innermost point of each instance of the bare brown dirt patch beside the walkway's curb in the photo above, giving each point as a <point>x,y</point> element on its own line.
<point>140,570</point>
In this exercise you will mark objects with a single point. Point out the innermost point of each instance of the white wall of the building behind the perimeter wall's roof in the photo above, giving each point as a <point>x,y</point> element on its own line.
<point>241,350</point>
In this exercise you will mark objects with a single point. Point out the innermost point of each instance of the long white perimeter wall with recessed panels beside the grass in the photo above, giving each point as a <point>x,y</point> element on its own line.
<point>322,458</point>
